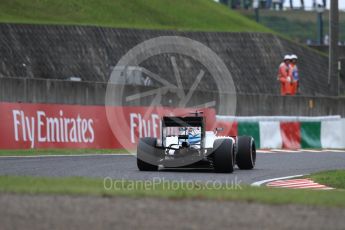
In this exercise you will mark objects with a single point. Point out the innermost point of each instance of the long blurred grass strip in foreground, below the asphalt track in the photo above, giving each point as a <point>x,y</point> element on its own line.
<point>95,187</point>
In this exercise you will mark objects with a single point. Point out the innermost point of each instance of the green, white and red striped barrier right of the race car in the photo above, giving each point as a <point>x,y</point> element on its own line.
<point>289,135</point>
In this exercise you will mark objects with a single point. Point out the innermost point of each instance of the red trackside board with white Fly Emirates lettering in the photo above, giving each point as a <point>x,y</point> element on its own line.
<point>25,126</point>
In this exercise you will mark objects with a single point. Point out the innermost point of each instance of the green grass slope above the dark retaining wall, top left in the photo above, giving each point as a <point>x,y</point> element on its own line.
<point>195,15</point>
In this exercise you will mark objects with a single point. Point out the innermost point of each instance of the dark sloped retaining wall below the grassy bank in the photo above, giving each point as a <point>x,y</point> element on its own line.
<point>59,52</point>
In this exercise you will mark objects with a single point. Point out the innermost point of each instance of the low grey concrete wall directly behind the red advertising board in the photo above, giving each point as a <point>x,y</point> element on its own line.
<point>92,93</point>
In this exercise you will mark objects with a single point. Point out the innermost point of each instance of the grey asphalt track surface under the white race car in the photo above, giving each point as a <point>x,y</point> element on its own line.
<point>268,165</point>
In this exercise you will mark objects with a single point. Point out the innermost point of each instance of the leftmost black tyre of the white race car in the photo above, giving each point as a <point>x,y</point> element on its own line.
<point>146,152</point>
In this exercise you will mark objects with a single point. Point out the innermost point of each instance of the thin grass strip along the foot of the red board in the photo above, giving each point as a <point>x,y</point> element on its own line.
<point>47,152</point>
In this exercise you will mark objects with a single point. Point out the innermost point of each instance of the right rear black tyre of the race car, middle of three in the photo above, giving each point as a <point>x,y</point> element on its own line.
<point>223,155</point>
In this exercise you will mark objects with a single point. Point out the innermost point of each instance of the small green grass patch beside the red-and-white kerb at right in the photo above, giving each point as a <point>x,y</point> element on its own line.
<point>334,178</point>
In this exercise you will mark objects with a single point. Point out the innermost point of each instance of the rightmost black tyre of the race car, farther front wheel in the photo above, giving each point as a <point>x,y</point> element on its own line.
<point>246,152</point>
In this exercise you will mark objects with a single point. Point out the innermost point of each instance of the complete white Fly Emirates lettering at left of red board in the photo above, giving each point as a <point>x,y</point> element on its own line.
<point>42,128</point>
